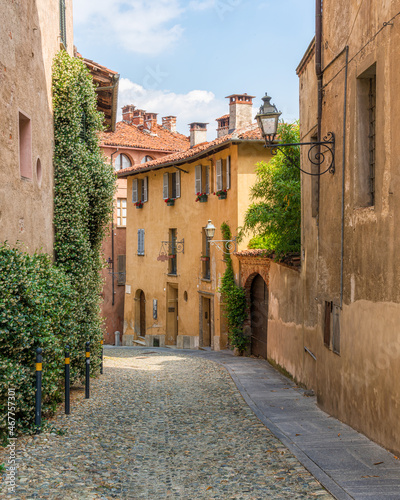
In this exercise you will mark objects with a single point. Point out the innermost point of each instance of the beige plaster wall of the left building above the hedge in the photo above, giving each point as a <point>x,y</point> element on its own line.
<point>29,39</point>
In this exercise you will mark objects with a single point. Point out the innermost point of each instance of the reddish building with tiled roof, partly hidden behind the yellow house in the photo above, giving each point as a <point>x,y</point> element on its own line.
<point>136,140</point>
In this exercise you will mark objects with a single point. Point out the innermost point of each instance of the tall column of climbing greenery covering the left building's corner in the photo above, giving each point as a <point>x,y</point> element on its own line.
<point>84,189</point>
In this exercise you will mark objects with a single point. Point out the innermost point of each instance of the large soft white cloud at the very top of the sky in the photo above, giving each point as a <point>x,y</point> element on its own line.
<point>140,26</point>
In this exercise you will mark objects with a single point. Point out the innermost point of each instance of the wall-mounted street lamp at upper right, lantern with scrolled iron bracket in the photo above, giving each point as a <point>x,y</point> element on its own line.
<point>318,153</point>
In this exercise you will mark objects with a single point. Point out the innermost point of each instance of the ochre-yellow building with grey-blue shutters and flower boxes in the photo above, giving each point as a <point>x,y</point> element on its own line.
<point>173,271</point>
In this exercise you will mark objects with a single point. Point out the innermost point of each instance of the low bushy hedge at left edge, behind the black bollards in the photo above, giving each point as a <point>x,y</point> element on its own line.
<point>37,302</point>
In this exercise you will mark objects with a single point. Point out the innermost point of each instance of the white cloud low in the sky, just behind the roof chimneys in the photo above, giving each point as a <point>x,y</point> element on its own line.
<point>194,106</point>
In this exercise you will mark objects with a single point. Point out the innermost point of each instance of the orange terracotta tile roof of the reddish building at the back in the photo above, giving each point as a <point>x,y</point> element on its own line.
<point>132,136</point>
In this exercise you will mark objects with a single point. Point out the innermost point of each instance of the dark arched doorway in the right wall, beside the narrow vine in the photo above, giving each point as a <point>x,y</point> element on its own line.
<point>259,316</point>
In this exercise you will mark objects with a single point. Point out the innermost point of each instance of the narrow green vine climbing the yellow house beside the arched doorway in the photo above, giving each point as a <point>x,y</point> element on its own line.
<point>234,298</point>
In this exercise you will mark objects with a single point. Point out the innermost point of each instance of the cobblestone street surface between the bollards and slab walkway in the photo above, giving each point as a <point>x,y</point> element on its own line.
<point>160,425</point>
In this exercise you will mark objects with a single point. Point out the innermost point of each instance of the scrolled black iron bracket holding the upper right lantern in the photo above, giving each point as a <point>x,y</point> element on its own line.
<point>319,153</point>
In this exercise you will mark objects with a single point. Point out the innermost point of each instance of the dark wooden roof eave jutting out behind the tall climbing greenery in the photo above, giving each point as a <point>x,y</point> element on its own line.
<point>107,82</point>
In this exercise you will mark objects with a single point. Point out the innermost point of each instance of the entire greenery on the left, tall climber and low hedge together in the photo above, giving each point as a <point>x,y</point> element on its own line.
<point>50,305</point>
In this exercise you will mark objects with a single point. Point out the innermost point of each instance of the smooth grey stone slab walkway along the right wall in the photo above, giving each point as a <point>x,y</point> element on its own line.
<point>346,462</point>
